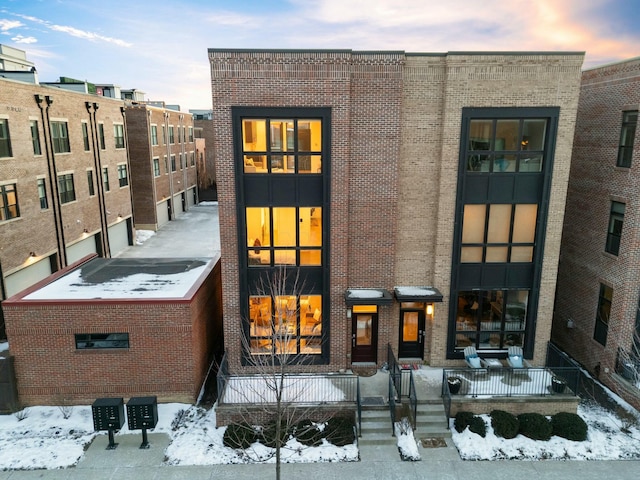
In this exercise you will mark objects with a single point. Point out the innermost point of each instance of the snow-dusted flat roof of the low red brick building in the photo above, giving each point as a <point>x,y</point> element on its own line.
<point>124,281</point>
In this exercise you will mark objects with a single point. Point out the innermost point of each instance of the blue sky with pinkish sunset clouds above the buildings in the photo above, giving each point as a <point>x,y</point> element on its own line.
<point>161,48</point>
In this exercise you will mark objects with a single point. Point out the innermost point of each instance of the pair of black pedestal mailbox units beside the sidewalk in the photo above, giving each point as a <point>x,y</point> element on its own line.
<point>108,414</point>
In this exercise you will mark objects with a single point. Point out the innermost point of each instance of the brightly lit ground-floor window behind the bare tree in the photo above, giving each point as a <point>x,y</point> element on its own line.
<point>285,324</point>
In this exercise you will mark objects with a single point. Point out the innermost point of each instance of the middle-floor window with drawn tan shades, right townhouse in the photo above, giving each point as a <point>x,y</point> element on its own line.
<point>498,233</point>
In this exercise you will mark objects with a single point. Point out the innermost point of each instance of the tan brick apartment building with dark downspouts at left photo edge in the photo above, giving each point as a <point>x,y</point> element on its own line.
<point>64,181</point>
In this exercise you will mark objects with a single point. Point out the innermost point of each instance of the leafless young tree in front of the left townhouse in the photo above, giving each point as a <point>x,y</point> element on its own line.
<point>276,347</point>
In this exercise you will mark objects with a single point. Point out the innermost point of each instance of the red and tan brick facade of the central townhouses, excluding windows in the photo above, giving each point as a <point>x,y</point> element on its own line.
<point>395,140</point>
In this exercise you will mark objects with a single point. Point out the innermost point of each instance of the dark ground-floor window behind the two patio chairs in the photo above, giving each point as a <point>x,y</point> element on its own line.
<point>491,319</point>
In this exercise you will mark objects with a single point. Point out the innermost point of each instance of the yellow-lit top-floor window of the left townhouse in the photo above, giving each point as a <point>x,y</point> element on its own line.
<point>282,146</point>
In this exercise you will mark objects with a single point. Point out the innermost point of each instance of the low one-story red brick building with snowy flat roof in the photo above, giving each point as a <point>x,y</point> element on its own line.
<point>118,327</point>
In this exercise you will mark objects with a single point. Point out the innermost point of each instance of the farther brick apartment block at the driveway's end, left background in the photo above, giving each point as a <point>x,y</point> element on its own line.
<point>163,163</point>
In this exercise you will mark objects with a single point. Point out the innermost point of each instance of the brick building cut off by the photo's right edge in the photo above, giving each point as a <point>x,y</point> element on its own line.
<point>598,297</point>
